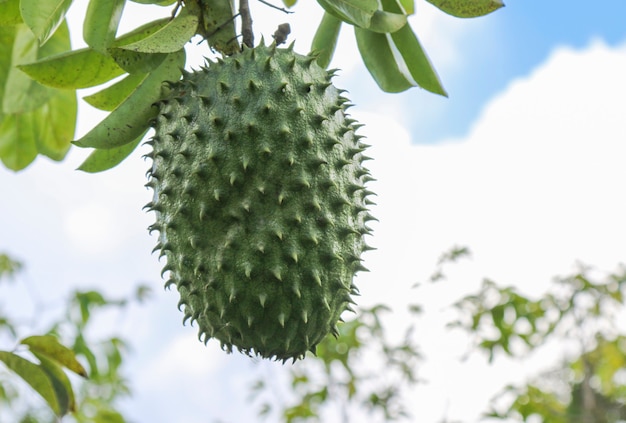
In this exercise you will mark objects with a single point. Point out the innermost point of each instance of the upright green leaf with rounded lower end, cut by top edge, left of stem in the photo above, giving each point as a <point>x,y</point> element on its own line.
<point>101,22</point>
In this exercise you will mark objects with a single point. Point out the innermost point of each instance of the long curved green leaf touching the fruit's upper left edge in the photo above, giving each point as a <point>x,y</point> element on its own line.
<point>124,124</point>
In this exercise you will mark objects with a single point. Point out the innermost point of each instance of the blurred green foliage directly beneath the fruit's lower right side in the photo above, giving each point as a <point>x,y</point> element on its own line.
<point>359,369</point>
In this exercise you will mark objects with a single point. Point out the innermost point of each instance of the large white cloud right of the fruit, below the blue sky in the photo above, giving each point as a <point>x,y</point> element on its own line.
<point>536,186</point>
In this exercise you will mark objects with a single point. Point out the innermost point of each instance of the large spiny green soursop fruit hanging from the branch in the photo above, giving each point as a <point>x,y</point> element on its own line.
<point>260,199</point>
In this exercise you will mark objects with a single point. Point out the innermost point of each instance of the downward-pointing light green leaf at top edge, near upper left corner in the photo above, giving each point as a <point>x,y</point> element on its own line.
<point>43,17</point>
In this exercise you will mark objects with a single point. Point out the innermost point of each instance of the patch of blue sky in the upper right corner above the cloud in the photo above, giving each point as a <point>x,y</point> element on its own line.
<point>501,47</point>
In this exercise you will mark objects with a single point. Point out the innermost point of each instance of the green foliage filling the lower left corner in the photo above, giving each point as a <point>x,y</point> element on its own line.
<point>40,362</point>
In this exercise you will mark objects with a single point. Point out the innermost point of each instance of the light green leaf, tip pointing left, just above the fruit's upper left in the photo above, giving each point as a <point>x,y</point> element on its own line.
<point>169,39</point>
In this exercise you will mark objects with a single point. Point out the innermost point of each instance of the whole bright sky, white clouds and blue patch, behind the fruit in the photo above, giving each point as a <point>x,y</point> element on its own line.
<point>522,163</point>
